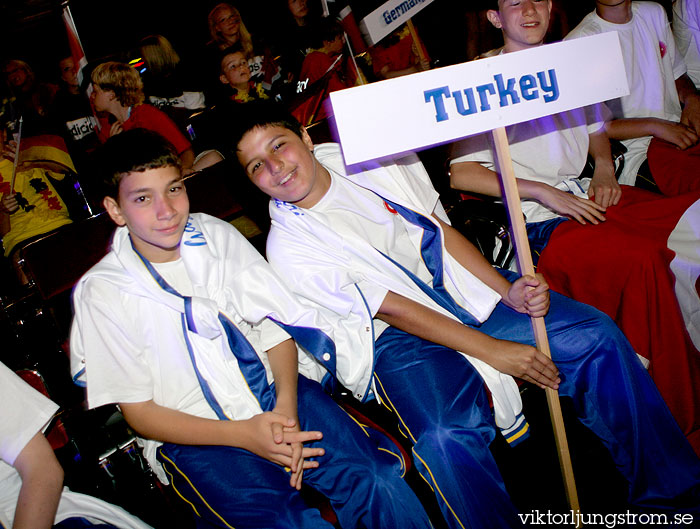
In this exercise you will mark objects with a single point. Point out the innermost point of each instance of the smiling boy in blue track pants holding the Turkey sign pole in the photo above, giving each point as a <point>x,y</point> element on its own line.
<point>422,321</point>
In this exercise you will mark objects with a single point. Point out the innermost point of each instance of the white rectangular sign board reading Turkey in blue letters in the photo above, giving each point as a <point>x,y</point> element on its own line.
<point>428,108</point>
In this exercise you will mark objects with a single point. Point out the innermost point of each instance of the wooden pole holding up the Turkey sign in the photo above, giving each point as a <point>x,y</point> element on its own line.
<point>522,249</point>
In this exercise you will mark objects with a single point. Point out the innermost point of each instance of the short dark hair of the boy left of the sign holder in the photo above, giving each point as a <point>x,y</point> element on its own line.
<point>134,150</point>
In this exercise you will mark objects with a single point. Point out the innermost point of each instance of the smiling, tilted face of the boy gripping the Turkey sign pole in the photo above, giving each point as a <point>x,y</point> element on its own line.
<point>282,165</point>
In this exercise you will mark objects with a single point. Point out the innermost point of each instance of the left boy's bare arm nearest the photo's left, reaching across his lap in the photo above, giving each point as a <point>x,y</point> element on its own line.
<point>167,425</point>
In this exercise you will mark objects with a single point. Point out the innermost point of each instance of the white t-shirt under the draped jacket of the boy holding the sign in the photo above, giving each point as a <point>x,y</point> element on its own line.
<point>351,209</point>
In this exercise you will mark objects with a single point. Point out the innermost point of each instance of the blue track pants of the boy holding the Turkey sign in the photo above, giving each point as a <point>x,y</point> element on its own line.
<point>442,406</point>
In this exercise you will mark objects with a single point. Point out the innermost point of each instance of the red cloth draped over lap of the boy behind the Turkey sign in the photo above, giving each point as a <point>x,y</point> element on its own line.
<point>622,268</point>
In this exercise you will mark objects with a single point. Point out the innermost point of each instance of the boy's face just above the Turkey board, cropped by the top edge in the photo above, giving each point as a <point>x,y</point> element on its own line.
<point>524,22</point>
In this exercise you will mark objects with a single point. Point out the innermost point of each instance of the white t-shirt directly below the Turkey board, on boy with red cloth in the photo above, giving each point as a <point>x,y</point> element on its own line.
<point>552,150</point>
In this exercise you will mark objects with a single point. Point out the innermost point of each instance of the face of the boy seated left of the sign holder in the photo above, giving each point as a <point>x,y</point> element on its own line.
<point>153,205</point>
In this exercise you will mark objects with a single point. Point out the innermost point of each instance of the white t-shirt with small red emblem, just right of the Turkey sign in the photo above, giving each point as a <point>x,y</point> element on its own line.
<point>652,63</point>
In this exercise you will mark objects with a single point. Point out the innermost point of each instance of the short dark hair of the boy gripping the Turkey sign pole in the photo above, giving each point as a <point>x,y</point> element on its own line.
<point>258,114</point>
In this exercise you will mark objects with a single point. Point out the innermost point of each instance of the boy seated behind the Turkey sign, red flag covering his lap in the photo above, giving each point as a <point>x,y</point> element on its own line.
<point>636,248</point>
